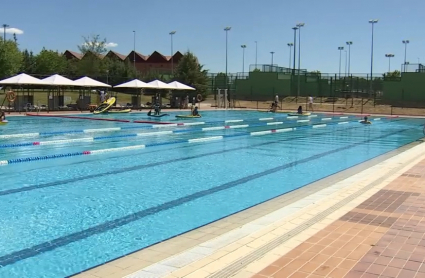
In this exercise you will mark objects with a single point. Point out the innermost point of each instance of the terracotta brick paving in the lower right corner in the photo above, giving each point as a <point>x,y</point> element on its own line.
<point>382,237</point>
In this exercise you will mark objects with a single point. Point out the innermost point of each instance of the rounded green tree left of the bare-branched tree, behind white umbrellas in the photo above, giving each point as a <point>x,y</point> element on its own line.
<point>50,62</point>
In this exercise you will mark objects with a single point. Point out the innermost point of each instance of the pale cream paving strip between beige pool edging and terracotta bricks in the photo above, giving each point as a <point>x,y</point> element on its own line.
<point>287,213</point>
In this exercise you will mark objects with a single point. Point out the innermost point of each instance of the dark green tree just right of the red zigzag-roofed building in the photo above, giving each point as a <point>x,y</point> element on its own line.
<point>190,72</point>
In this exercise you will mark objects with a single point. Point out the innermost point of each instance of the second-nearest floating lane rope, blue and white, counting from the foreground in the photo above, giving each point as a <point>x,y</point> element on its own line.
<point>145,134</point>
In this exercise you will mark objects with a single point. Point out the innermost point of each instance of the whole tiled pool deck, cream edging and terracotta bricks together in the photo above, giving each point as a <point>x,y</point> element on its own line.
<point>367,221</point>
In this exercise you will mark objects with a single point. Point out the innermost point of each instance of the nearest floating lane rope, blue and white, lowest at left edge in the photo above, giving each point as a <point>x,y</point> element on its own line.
<point>138,147</point>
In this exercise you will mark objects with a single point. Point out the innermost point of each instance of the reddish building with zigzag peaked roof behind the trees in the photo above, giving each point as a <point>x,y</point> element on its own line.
<point>144,63</point>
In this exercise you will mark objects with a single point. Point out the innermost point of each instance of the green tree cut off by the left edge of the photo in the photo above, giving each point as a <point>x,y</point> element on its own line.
<point>10,58</point>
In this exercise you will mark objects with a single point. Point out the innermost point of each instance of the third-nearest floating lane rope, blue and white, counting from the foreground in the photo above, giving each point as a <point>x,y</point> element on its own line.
<point>113,129</point>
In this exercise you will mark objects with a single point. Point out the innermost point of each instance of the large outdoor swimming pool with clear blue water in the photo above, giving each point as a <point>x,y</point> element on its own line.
<point>72,197</point>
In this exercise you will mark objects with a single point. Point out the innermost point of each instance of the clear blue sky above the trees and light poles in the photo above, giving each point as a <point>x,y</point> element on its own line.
<point>199,24</point>
